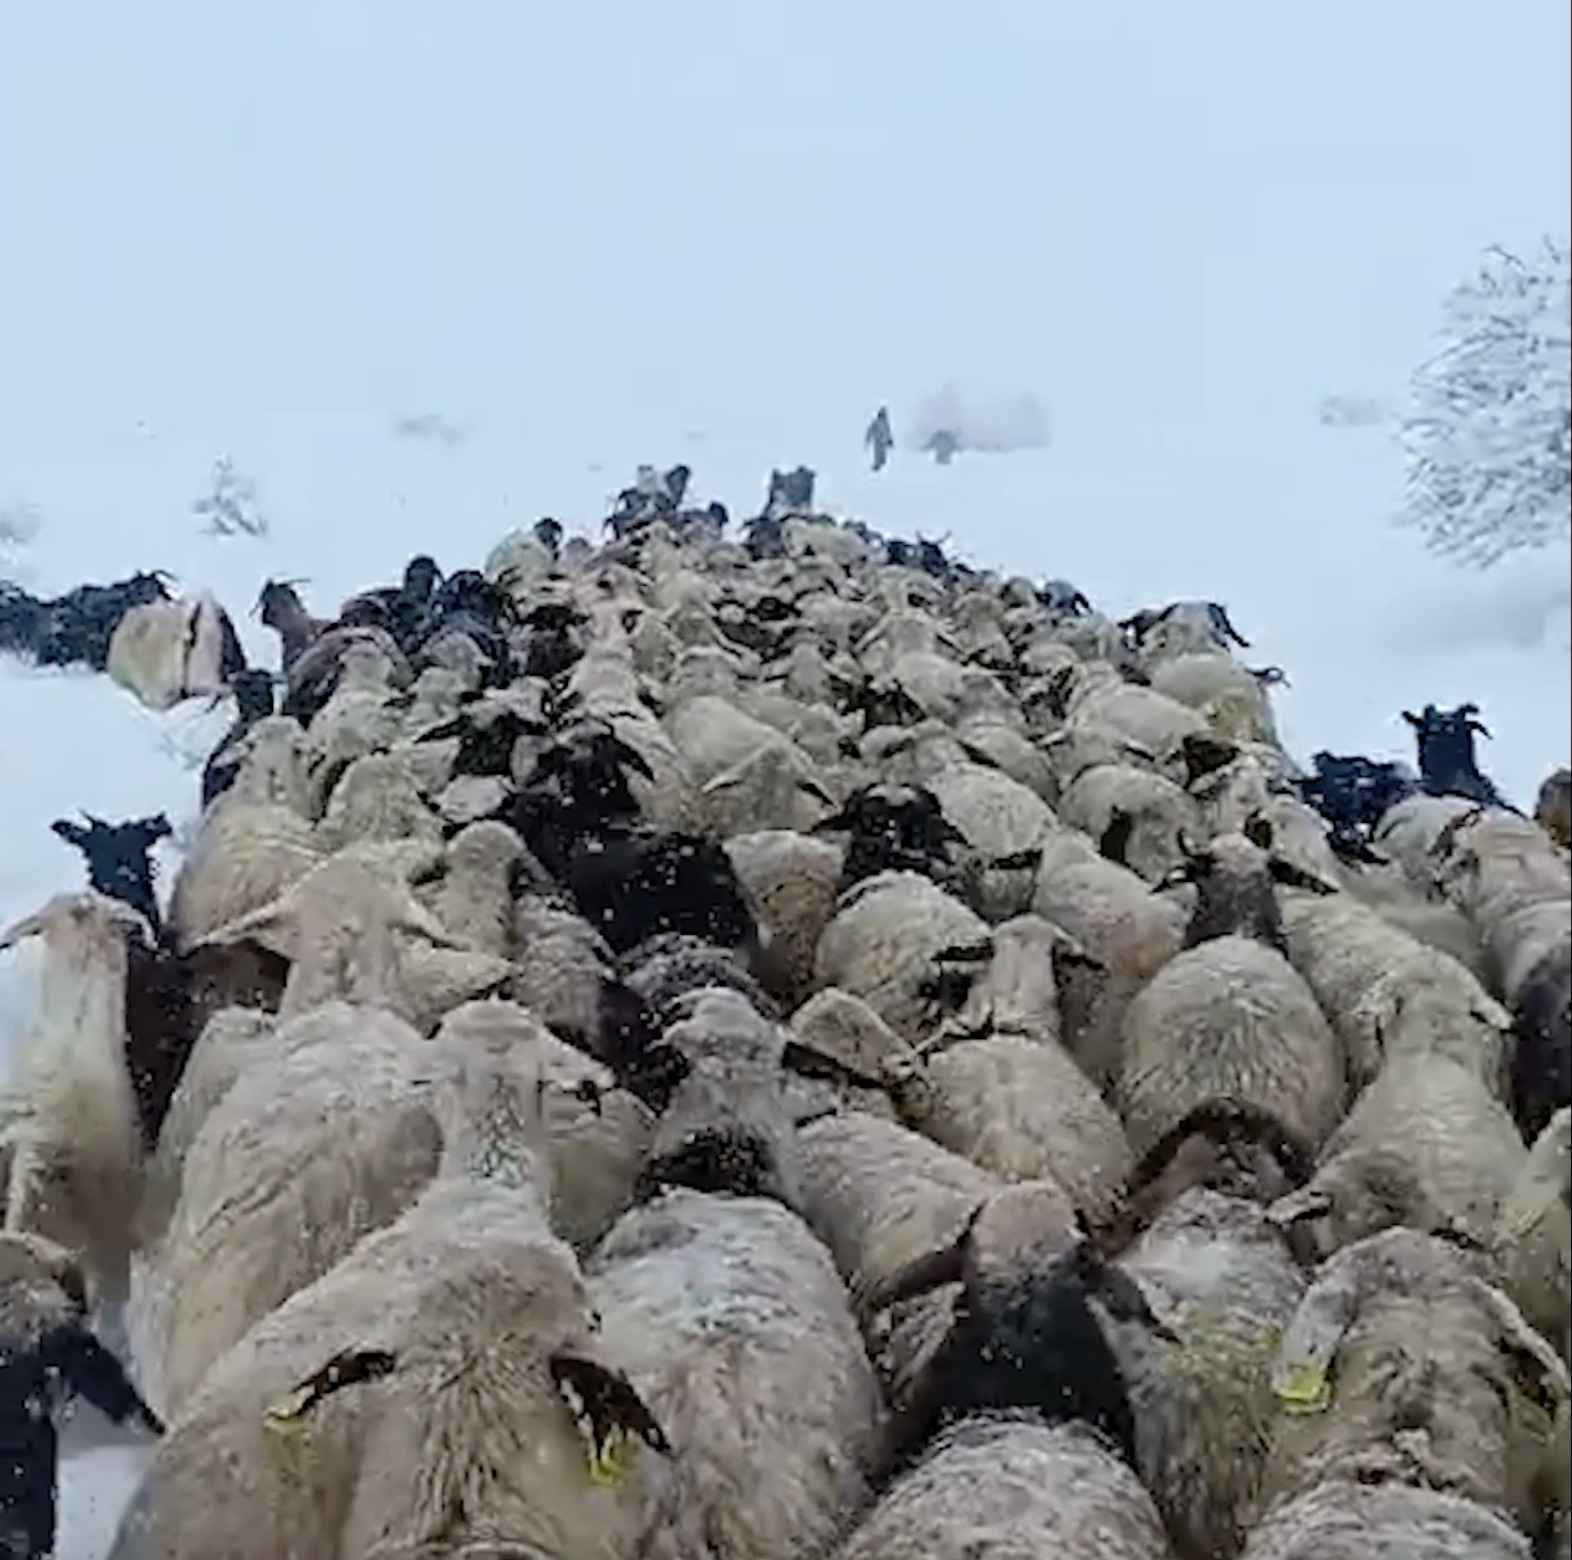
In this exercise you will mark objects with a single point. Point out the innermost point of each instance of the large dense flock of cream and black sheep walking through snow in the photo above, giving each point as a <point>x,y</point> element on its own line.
<point>779,1047</point>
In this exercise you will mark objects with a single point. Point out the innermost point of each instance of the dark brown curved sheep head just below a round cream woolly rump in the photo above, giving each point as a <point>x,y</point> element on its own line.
<point>1225,1146</point>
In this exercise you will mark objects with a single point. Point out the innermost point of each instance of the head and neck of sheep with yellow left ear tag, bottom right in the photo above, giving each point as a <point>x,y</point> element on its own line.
<point>1401,1366</point>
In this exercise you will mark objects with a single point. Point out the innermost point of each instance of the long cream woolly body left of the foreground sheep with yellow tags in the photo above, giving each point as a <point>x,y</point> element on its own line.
<point>337,1136</point>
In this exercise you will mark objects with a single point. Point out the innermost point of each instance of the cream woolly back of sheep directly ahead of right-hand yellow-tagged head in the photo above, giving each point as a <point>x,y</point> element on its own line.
<point>1425,1146</point>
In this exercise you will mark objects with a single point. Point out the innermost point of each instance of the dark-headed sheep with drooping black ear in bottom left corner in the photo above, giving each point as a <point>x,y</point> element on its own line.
<point>48,1355</point>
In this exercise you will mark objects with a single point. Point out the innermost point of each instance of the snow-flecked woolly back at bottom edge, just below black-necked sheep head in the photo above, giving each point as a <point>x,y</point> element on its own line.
<point>994,1479</point>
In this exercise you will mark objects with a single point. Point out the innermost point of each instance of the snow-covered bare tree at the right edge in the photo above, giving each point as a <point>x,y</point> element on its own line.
<point>1488,435</point>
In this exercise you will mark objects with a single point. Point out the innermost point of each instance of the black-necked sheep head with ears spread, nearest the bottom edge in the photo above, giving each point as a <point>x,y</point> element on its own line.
<point>1024,1337</point>
